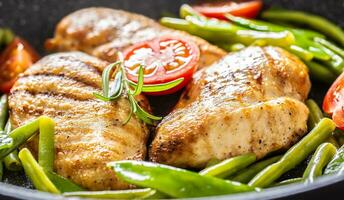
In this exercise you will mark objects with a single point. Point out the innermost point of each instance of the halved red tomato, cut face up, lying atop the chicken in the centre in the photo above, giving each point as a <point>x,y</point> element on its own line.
<point>164,59</point>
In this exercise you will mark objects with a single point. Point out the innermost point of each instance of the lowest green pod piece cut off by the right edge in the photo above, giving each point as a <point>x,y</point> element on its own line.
<point>336,166</point>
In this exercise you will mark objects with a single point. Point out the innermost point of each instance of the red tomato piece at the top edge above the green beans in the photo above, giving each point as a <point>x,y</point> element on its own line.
<point>247,9</point>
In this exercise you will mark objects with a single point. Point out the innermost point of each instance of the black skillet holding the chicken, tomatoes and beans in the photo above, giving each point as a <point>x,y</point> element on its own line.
<point>35,20</point>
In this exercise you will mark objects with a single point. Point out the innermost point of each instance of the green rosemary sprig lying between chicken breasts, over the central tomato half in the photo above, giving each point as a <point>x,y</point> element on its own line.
<point>112,90</point>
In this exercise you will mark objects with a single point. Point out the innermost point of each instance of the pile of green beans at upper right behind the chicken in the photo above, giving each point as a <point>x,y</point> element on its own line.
<point>324,59</point>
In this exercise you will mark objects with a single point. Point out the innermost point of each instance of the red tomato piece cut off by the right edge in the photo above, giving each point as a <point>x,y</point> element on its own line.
<point>334,102</point>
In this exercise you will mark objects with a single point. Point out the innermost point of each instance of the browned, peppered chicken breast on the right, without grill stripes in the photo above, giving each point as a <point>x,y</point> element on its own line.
<point>250,101</point>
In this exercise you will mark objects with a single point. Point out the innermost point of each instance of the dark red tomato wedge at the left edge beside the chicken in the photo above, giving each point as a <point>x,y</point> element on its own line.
<point>15,59</point>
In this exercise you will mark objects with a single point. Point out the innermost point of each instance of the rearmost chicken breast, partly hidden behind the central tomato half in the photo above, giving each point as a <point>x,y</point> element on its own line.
<point>103,32</point>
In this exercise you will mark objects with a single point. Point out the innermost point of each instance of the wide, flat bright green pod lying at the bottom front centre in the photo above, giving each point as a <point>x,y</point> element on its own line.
<point>175,182</point>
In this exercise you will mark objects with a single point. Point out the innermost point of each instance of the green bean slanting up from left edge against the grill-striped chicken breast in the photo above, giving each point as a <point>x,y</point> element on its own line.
<point>18,137</point>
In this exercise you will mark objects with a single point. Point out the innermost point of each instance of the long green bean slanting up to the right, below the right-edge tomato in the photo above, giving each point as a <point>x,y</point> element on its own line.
<point>295,154</point>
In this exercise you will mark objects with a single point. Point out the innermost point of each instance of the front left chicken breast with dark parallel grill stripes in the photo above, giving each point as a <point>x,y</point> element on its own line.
<point>89,132</point>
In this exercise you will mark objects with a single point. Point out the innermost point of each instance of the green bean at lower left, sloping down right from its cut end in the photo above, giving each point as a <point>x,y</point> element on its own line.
<point>36,173</point>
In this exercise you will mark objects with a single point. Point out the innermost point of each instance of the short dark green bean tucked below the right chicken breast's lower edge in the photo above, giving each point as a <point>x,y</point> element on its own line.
<point>245,175</point>
